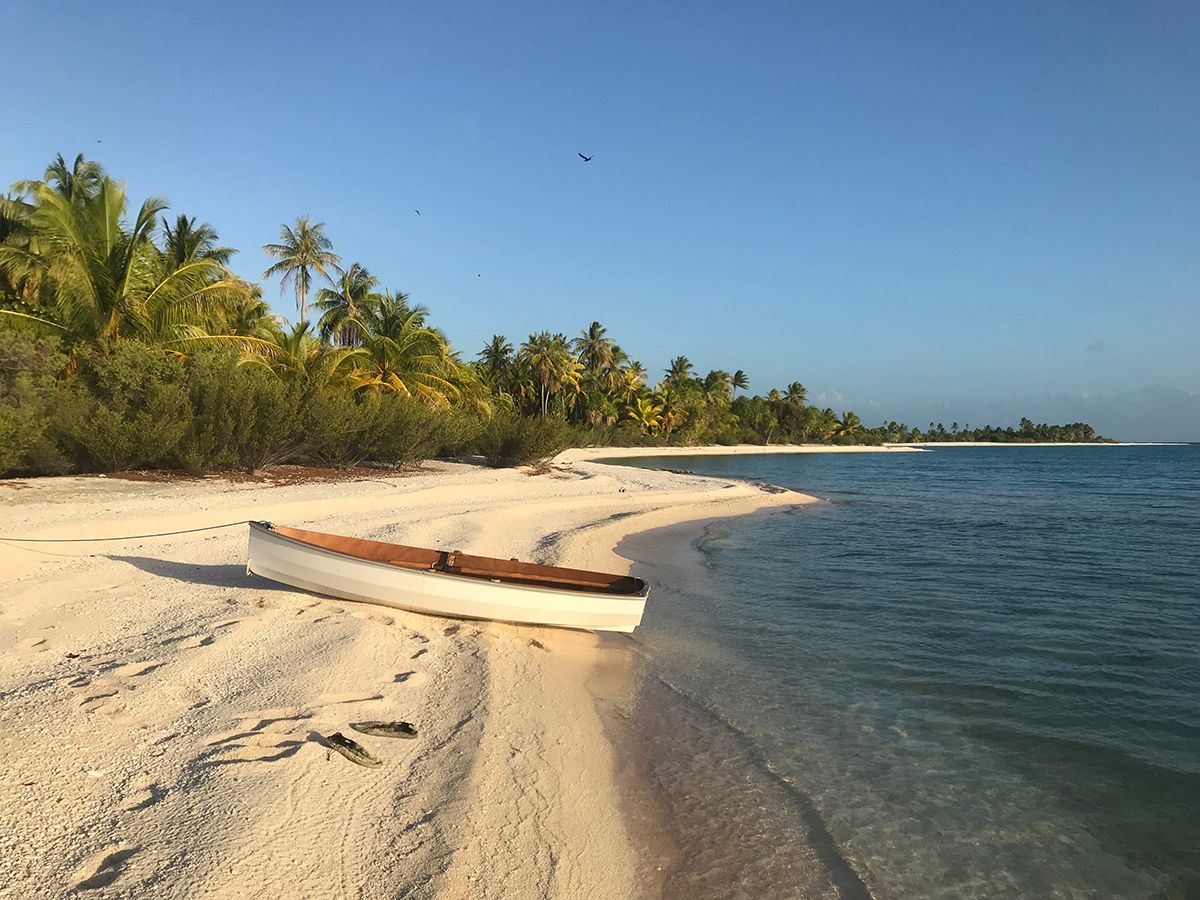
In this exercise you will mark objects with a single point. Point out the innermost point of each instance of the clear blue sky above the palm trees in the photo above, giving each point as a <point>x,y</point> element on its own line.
<point>922,211</point>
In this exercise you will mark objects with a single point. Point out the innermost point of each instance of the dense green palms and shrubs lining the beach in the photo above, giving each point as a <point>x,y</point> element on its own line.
<point>128,343</point>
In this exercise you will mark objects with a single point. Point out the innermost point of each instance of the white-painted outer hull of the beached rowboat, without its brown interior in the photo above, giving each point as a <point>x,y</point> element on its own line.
<point>309,568</point>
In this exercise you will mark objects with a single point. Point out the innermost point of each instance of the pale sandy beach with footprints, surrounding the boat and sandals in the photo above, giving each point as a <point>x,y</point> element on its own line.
<point>163,715</point>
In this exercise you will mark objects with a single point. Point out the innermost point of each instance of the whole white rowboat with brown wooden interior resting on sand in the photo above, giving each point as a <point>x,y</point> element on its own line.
<point>446,584</point>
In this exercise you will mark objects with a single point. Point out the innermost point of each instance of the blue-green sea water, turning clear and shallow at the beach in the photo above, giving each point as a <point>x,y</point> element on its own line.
<point>973,673</point>
